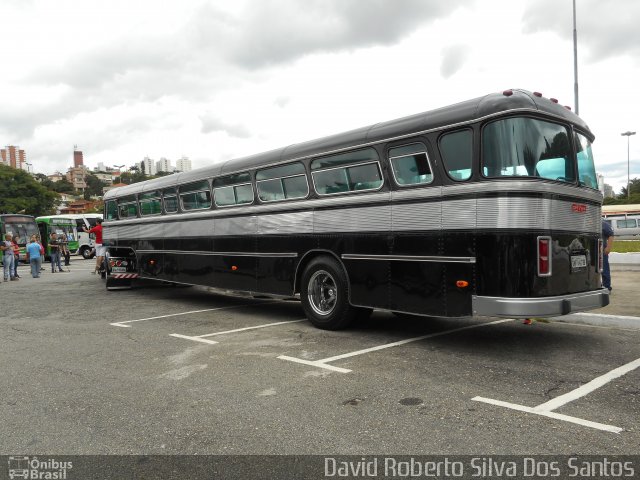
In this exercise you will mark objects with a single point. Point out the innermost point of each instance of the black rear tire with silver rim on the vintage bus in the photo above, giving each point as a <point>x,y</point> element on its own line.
<point>324,292</point>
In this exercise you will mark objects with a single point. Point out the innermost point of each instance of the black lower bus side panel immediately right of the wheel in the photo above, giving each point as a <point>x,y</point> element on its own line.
<point>369,278</point>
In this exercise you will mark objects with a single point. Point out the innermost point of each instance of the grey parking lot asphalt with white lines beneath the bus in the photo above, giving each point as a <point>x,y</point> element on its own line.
<point>165,370</point>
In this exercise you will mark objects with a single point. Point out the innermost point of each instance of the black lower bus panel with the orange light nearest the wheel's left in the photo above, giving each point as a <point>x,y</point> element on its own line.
<point>234,272</point>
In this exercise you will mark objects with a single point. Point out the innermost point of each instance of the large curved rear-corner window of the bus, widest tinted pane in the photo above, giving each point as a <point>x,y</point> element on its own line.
<point>526,147</point>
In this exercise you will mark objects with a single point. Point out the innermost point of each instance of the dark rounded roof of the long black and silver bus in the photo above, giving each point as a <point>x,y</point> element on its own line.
<point>445,117</point>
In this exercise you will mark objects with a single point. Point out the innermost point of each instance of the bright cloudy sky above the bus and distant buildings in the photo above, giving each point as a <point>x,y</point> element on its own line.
<point>214,80</point>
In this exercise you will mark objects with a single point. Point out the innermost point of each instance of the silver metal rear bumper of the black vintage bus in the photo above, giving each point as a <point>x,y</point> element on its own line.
<point>540,306</point>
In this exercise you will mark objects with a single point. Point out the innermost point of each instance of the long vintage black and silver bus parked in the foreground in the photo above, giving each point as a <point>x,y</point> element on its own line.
<point>488,207</point>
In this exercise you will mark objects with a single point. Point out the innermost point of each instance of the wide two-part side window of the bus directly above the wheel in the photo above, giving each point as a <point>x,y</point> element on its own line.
<point>347,172</point>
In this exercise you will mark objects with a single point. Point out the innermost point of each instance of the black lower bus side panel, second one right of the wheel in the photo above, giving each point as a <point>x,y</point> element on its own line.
<point>415,286</point>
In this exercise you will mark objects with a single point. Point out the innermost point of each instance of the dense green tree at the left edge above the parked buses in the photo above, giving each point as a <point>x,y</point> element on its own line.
<point>20,193</point>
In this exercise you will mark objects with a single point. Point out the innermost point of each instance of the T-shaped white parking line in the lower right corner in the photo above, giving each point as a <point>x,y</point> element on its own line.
<point>546,409</point>
